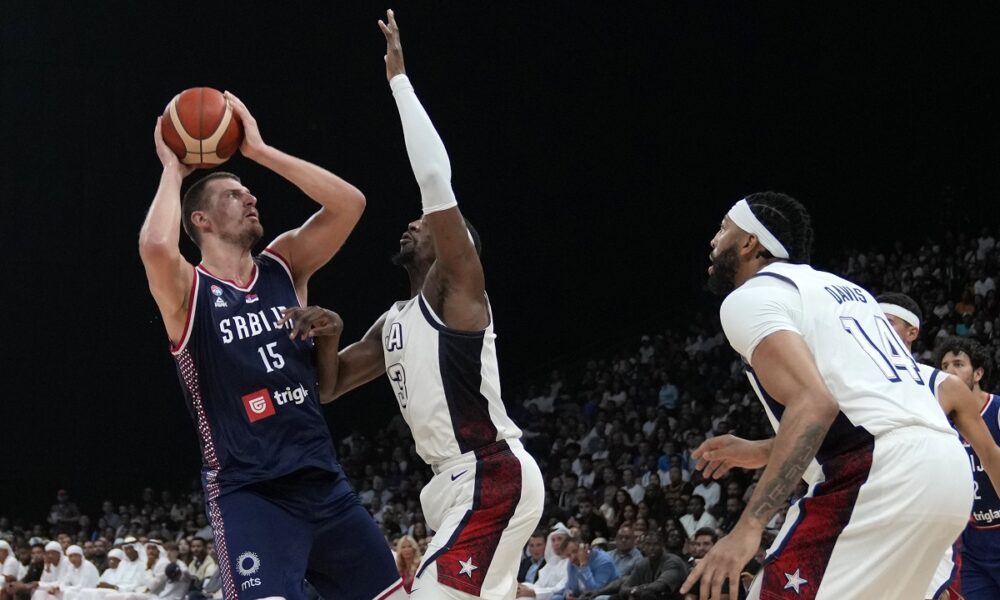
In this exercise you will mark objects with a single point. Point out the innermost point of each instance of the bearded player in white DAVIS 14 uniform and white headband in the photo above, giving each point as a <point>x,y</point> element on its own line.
<point>890,486</point>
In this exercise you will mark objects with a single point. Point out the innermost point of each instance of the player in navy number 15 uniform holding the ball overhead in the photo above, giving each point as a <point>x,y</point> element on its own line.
<point>280,506</point>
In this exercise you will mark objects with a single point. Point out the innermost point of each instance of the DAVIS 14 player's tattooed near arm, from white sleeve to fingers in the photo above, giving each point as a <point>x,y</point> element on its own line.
<point>786,368</point>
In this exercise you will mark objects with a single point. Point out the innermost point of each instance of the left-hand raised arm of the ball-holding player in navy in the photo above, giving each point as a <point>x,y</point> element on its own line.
<point>169,274</point>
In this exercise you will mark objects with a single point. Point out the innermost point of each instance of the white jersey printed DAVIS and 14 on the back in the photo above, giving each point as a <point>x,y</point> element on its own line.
<point>868,370</point>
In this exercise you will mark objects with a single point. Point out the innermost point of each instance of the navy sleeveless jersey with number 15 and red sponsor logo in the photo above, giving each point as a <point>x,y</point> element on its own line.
<point>250,389</point>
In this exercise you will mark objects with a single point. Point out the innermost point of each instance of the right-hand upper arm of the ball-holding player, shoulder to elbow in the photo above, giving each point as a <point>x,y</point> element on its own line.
<point>309,247</point>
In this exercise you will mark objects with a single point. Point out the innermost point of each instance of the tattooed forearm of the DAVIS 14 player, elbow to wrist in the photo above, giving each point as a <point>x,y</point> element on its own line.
<point>802,430</point>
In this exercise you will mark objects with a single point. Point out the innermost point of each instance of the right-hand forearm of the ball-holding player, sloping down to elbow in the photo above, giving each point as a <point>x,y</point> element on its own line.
<point>324,187</point>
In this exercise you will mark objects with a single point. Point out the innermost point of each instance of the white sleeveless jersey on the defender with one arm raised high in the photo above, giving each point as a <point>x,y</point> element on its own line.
<point>447,382</point>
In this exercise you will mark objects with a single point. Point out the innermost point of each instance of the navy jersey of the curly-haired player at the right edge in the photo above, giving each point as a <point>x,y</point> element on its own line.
<point>983,532</point>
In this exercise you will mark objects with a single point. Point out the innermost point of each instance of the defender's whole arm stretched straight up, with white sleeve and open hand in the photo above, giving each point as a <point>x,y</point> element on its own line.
<point>457,268</point>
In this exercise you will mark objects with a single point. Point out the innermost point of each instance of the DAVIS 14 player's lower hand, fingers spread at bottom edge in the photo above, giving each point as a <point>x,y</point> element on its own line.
<point>725,561</point>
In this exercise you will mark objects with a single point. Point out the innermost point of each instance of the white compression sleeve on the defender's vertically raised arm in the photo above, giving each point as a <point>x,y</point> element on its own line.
<point>428,157</point>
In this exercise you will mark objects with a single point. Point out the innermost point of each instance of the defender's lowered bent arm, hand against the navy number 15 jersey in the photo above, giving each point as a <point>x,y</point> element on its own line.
<point>339,371</point>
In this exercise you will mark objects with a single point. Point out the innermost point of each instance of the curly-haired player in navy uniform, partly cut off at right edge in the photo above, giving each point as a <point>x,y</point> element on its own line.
<point>980,574</point>
